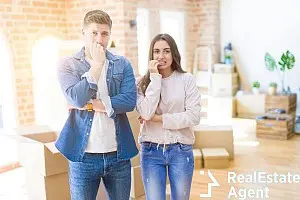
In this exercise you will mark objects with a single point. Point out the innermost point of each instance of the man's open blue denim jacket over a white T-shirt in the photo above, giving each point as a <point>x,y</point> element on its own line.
<point>121,86</point>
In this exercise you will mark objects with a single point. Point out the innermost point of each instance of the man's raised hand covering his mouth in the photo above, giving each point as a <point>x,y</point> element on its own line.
<point>98,58</point>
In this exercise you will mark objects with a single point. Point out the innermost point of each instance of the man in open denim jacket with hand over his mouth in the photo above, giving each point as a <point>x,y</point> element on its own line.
<point>97,138</point>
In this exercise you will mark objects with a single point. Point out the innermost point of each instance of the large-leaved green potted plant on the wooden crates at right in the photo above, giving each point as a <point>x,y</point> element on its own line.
<point>287,62</point>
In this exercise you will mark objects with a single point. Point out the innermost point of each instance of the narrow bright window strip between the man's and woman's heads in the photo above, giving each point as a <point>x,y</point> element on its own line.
<point>143,39</point>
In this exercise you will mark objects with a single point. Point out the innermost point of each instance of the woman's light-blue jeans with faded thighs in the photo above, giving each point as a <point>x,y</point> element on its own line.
<point>156,161</point>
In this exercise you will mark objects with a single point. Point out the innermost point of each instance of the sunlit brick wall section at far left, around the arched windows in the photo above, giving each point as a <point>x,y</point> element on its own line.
<point>21,22</point>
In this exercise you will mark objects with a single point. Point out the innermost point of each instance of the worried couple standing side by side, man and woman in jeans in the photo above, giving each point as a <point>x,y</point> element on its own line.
<point>97,139</point>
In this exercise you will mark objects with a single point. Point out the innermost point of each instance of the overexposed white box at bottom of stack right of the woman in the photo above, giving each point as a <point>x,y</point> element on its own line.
<point>221,110</point>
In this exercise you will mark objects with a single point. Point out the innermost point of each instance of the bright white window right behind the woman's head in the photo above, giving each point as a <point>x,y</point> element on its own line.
<point>173,24</point>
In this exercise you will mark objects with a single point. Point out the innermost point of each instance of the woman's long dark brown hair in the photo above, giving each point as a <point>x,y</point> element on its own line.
<point>145,81</point>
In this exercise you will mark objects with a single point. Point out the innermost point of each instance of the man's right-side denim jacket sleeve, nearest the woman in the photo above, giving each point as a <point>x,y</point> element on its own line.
<point>125,101</point>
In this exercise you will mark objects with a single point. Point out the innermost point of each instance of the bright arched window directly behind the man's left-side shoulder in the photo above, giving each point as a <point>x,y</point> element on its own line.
<point>49,102</point>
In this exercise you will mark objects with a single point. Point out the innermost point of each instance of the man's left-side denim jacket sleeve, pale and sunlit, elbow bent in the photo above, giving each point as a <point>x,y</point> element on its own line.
<point>77,91</point>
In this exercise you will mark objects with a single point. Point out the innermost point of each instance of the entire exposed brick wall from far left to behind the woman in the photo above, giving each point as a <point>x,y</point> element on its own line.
<point>24,21</point>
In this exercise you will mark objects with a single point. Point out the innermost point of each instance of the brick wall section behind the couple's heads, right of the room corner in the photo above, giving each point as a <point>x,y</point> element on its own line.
<point>201,23</point>
